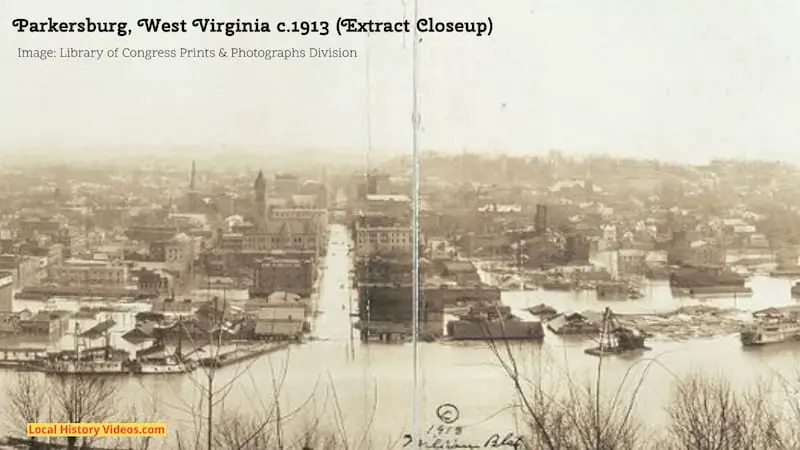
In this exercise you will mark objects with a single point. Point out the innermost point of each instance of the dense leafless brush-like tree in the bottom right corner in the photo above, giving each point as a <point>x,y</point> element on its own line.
<point>708,413</point>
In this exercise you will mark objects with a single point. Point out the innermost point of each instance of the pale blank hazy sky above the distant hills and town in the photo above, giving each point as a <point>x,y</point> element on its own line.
<point>679,79</point>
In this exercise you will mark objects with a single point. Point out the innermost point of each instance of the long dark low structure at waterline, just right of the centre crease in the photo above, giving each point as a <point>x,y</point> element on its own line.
<point>488,322</point>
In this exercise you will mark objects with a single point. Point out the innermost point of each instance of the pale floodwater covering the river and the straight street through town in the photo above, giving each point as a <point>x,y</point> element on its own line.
<point>371,386</point>
